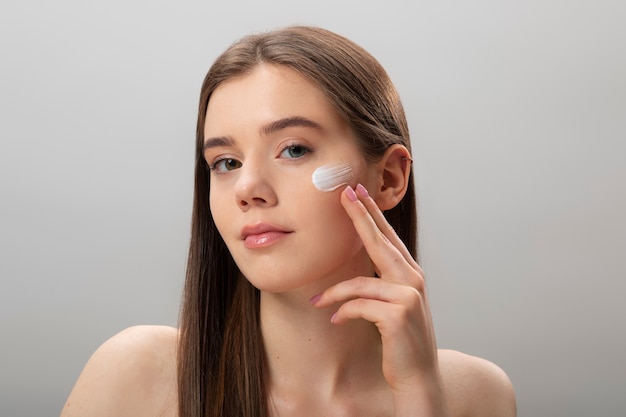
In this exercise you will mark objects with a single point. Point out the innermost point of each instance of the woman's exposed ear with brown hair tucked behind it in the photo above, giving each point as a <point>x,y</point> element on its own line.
<point>393,169</point>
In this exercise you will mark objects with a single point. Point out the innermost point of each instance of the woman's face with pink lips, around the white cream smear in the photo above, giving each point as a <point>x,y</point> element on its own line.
<point>265,133</point>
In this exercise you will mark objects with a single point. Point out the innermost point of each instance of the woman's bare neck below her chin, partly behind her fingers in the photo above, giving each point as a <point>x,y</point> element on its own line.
<point>306,351</point>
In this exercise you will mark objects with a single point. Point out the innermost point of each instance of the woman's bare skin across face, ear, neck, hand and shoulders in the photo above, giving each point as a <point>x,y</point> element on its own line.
<point>340,342</point>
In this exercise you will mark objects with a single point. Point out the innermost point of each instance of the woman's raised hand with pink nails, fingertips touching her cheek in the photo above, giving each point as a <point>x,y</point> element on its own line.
<point>396,303</point>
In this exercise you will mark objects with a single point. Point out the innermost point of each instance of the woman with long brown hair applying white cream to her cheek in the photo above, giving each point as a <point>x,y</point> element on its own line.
<point>297,302</point>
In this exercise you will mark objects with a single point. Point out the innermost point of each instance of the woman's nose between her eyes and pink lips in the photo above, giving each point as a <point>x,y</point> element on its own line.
<point>253,187</point>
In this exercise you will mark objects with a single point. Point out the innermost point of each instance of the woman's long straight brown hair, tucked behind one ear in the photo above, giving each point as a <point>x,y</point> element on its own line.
<point>221,361</point>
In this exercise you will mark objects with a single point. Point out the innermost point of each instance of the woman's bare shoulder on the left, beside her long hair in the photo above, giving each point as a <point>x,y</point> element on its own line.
<point>131,374</point>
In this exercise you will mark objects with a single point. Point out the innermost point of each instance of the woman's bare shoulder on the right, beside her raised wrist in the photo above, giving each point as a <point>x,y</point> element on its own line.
<point>476,386</point>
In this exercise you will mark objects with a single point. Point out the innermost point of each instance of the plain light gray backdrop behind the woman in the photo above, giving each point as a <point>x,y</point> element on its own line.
<point>518,117</point>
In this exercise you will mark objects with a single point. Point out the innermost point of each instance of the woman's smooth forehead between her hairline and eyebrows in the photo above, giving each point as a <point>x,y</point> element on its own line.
<point>268,92</point>
